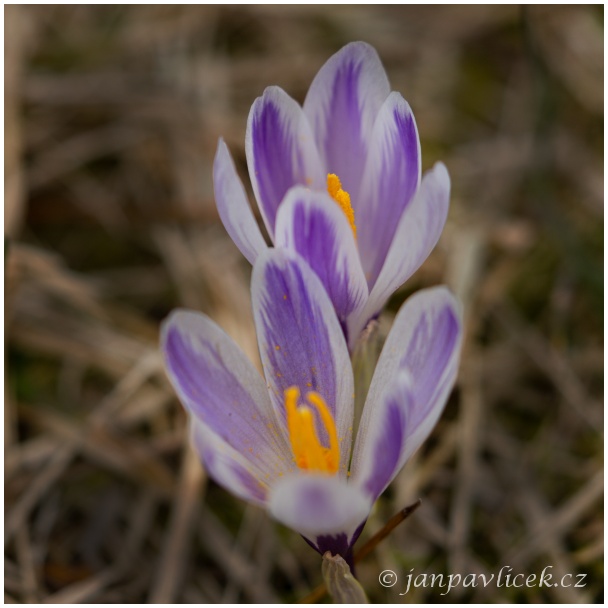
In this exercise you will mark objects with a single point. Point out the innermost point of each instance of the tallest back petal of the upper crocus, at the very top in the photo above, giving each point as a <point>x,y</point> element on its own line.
<point>342,104</point>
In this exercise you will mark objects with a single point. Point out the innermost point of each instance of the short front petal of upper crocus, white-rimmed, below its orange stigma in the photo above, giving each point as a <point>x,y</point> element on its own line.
<point>313,225</point>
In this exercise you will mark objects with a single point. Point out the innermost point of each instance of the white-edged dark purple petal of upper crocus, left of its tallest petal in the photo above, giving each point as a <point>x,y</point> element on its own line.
<point>281,152</point>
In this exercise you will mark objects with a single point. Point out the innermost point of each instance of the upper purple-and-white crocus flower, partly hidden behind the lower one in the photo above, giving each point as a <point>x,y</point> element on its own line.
<point>338,181</point>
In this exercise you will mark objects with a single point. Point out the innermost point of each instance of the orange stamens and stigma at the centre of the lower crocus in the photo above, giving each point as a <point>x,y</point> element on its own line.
<point>308,451</point>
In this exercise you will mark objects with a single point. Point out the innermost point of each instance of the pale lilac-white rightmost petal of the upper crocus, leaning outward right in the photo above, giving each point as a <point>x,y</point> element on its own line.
<point>417,234</point>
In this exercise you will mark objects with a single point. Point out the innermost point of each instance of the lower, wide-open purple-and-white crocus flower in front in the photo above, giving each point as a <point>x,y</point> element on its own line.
<point>285,442</point>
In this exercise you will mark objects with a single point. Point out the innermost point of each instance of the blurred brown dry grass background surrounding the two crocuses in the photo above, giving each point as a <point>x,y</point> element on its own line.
<point>112,116</point>
